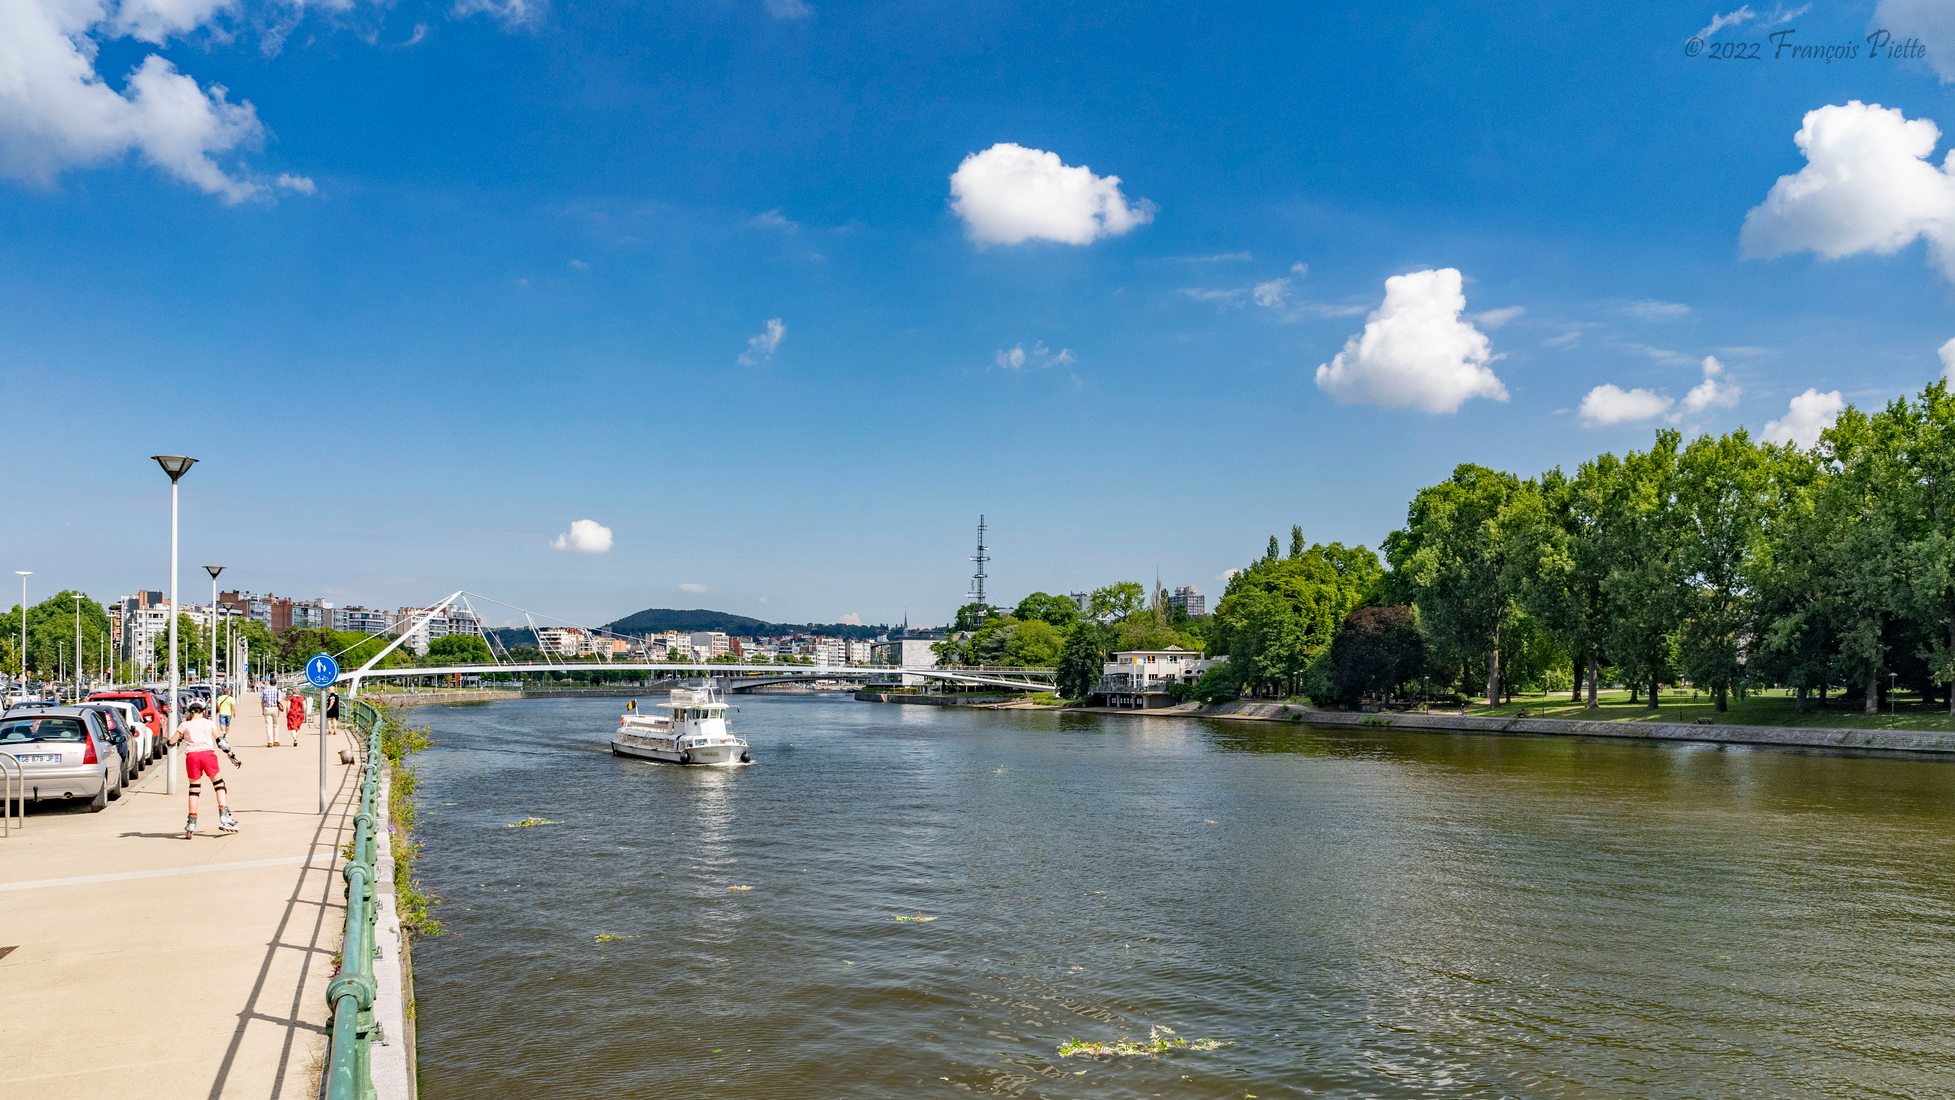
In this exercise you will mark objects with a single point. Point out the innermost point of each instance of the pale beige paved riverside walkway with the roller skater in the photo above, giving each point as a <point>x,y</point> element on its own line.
<point>142,964</point>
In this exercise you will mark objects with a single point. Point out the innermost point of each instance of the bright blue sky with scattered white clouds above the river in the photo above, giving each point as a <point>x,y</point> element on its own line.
<point>472,273</point>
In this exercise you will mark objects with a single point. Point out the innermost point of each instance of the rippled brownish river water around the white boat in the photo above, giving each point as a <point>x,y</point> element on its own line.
<point>1354,913</point>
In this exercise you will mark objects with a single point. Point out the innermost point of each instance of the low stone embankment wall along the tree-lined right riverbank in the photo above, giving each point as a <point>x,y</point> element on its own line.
<point>1923,741</point>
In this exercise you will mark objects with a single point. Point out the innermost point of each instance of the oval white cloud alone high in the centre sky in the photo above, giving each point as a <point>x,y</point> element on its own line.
<point>1012,194</point>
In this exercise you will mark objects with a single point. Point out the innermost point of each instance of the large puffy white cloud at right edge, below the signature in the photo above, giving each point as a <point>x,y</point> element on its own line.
<point>1870,187</point>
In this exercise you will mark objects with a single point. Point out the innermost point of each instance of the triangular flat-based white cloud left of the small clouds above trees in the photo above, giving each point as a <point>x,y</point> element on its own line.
<point>1416,351</point>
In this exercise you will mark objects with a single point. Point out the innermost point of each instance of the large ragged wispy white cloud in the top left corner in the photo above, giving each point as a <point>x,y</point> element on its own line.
<point>58,112</point>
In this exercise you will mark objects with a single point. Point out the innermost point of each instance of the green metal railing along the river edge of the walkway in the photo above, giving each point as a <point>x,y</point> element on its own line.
<point>351,992</point>
